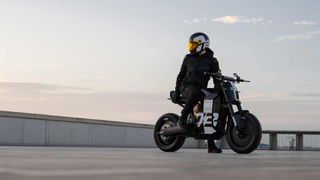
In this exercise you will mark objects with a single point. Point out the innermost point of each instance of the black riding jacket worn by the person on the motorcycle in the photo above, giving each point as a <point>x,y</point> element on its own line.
<point>193,68</point>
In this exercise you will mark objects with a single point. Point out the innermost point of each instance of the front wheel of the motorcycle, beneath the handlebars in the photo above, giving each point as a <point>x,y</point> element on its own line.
<point>247,139</point>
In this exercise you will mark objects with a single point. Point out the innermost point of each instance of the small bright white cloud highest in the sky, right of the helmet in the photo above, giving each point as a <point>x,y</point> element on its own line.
<point>241,19</point>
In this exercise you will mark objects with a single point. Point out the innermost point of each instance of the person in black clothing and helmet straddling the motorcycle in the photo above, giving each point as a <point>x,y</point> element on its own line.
<point>191,78</point>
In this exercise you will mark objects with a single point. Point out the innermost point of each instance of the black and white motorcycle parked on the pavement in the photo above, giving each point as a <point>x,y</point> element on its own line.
<point>211,119</point>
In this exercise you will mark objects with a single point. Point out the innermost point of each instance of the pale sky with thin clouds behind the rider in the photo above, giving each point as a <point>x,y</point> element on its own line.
<point>117,60</point>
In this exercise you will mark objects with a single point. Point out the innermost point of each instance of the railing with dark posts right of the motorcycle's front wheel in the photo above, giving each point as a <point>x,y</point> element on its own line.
<point>290,140</point>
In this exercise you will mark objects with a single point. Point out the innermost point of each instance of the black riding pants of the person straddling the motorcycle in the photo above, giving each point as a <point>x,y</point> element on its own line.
<point>193,94</point>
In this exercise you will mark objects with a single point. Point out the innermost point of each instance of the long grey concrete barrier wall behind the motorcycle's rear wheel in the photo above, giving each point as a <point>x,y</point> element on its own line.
<point>44,130</point>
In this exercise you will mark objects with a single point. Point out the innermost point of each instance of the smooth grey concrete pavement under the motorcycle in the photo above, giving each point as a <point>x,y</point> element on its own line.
<point>52,163</point>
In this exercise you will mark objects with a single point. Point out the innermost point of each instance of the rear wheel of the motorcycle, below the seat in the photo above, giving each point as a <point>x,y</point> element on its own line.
<point>167,144</point>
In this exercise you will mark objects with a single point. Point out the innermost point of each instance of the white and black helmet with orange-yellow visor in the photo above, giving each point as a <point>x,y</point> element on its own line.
<point>198,42</point>
